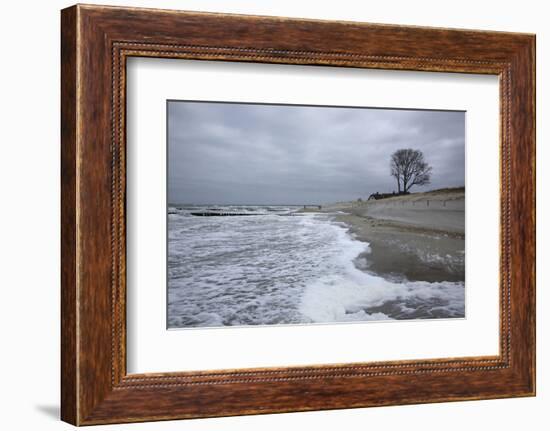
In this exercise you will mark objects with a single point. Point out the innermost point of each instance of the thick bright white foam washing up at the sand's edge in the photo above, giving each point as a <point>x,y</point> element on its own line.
<point>352,294</point>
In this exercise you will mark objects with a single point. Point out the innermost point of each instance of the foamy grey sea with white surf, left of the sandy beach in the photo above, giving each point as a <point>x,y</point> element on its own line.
<point>274,265</point>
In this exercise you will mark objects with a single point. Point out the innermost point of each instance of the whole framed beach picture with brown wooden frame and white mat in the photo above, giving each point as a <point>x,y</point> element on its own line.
<point>263,214</point>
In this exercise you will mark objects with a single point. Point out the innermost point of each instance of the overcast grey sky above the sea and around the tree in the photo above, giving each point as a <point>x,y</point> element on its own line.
<point>225,153</point>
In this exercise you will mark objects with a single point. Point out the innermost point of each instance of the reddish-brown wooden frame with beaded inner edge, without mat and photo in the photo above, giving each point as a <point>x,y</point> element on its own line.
<point>95,42</point>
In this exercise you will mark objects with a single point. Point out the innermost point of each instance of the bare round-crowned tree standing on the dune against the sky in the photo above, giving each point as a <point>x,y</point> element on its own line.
<point>408,167</point>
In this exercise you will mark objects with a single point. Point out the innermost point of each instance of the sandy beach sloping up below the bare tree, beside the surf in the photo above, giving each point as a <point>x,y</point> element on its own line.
<point>417,237</point>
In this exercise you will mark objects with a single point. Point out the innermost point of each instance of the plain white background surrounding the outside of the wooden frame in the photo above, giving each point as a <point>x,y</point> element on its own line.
<point>29,225</point>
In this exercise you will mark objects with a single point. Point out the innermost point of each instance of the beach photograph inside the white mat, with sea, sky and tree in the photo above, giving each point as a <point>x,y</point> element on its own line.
<point>298,214</point>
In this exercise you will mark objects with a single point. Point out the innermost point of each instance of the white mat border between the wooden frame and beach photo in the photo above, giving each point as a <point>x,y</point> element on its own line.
<point>151,348</point>
